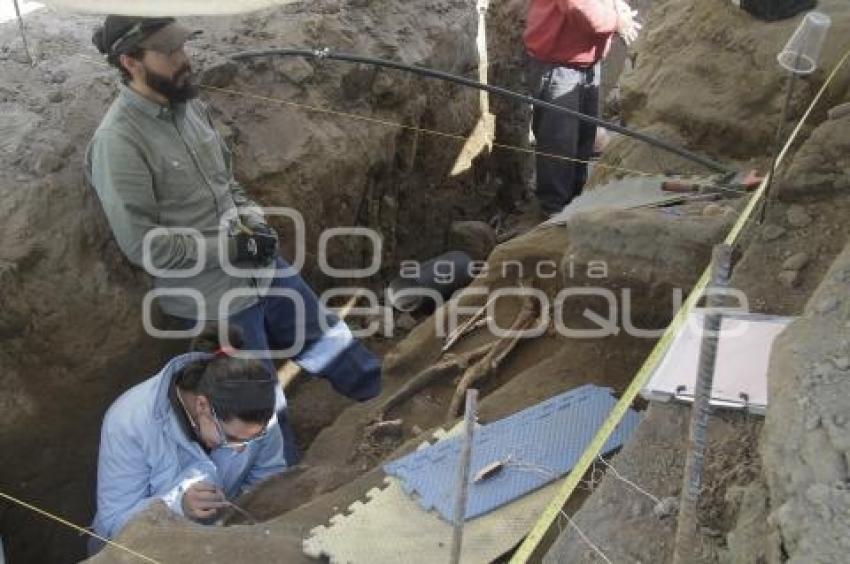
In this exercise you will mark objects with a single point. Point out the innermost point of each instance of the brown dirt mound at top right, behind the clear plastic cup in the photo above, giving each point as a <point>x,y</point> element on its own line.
<point>706,76</point>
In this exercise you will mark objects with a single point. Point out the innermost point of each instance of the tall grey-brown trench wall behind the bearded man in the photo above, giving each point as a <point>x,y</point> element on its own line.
<point>70,303</point>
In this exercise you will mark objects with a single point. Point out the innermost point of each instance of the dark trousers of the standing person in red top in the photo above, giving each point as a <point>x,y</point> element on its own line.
<point>560,180</point>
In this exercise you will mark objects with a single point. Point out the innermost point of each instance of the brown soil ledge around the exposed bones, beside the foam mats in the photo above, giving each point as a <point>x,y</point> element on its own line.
<point>343,459</point>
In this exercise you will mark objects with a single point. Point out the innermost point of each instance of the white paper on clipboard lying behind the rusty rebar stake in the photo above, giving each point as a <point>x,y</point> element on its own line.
<point>740,371</point>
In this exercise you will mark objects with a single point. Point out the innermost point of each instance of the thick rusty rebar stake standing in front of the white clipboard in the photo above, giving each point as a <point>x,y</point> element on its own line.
<point>687,537</point>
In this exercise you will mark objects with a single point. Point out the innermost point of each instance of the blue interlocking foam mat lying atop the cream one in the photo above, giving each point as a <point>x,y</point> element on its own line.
<point>537,446</point>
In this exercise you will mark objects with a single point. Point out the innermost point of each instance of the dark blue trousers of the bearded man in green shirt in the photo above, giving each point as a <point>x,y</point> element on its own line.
<point>271,324</point>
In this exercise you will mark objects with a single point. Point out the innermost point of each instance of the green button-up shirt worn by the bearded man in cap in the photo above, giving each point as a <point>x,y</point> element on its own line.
<point>166,167</point>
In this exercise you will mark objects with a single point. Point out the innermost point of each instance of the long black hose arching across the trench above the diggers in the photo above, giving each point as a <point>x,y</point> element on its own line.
<point>504,92</point>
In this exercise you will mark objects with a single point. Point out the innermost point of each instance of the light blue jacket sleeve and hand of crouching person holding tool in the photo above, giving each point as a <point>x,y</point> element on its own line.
<point>123,481</point>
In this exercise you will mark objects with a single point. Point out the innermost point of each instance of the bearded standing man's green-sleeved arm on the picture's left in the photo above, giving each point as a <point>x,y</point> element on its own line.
<point>124,185</point>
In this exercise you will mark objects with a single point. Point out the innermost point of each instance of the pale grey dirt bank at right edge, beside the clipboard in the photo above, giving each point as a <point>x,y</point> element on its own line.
<point>806,444</point>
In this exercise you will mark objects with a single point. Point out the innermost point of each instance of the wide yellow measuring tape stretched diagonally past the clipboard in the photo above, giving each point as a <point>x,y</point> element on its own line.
<point>532,545</point>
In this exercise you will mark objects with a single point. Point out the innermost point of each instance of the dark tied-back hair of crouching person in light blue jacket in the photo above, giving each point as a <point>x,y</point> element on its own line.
<point>236,387</point>
